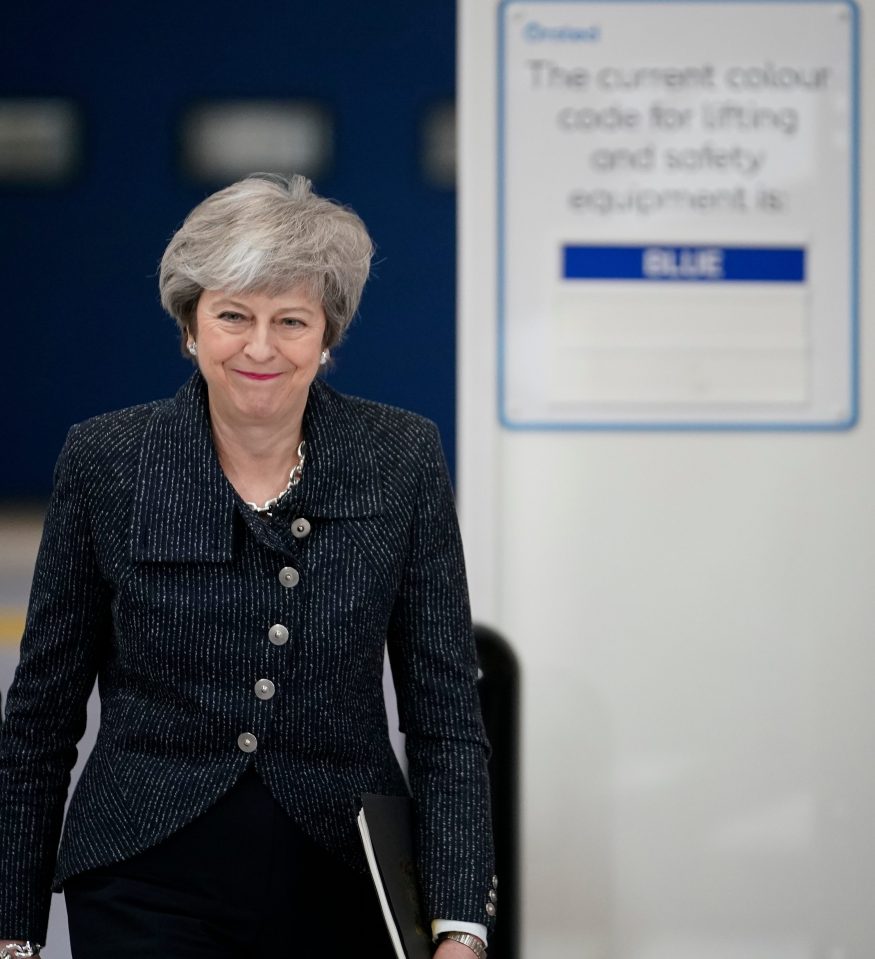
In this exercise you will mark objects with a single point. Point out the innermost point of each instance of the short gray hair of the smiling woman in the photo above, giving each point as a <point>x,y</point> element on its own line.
<point>268,234</point>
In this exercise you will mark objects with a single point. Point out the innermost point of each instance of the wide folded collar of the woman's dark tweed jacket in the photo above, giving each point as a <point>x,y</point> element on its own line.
<point>184,506</point>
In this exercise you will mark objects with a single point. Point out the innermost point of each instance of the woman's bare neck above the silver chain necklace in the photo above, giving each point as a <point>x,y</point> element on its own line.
<point>256,457</point>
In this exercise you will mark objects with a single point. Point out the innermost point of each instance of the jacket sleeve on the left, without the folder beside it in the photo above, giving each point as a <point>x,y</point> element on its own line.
<point>67,622</point>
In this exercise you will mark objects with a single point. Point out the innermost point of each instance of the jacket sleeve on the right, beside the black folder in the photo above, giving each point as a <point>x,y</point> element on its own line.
<point>434,664</point>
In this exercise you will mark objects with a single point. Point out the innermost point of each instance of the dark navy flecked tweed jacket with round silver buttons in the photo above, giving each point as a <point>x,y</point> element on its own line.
<point>155,578</point>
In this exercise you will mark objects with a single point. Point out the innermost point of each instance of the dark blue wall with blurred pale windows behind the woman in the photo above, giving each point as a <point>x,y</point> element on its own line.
<point>84,329</point>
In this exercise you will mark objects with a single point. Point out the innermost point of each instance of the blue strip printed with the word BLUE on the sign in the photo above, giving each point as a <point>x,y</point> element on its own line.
<point>714,264</point>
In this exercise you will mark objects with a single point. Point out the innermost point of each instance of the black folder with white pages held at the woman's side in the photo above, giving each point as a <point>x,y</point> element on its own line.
<point>386,826</point>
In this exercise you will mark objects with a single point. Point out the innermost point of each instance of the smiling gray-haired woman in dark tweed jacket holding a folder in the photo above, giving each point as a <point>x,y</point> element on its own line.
<point>230,564</point>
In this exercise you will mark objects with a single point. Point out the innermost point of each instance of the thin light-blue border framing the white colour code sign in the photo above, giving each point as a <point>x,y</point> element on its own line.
<point>854,279</point>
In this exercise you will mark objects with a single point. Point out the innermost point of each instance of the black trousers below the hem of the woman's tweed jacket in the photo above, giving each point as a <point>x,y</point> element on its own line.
<point>241,880</point>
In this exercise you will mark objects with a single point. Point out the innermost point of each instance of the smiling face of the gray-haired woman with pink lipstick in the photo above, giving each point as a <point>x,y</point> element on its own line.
<point>259,353</point>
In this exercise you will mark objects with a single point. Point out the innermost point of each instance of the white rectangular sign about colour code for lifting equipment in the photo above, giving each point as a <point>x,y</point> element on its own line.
<point>677,232</point>
